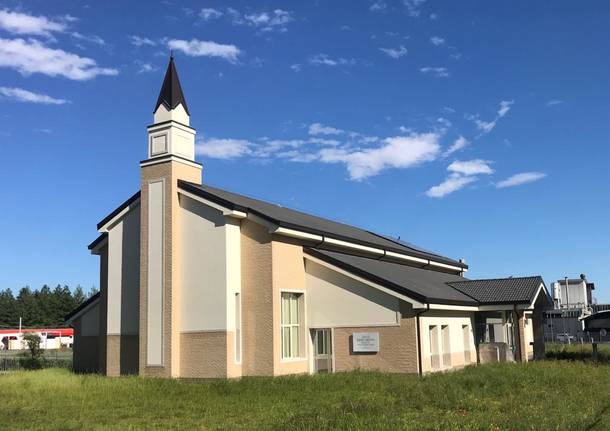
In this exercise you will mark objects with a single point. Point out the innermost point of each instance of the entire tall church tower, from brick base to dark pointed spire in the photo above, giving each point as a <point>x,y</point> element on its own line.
<point>170,158</point>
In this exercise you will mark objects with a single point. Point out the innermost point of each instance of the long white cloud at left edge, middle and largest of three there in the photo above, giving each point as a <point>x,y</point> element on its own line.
<point>32,56</point>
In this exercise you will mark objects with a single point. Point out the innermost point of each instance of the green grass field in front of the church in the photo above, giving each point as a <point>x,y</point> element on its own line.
<point>545,395</point>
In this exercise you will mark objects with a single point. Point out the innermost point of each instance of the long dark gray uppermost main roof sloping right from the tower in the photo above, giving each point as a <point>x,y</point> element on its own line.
<point>289,218</point>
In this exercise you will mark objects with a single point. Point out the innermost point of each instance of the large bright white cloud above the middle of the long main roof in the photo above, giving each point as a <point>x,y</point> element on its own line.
<point>394,152</point>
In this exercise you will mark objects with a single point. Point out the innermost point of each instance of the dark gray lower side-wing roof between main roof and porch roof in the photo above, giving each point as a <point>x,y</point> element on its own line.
<point>420,284</point>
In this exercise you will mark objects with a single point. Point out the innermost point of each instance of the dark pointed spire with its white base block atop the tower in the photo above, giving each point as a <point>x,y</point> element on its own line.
<point>171,134</point>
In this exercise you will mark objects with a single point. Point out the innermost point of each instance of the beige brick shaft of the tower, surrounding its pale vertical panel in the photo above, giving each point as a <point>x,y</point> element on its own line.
<point>171,171</point>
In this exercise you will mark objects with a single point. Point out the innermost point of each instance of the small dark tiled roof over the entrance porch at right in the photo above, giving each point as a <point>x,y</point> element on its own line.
<point>514,290</point>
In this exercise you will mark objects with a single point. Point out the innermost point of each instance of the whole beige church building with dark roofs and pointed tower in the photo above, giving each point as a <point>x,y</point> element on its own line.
<point>200,282</point>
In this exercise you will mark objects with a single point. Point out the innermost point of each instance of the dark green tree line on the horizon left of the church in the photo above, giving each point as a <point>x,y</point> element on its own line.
<point>45,307</point>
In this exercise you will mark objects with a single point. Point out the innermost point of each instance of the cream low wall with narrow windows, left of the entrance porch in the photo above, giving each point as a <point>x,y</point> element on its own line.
<point>455,320</point>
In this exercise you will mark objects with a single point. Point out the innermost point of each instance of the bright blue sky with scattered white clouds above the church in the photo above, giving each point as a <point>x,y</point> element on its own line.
<point>477,129</point>
